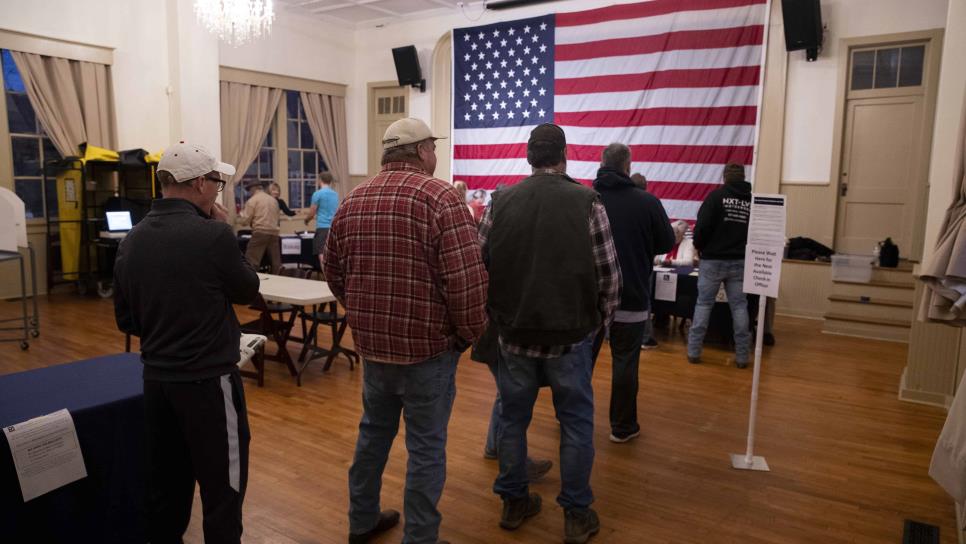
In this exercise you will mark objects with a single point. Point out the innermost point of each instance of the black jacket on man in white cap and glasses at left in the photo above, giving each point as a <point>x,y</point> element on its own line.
<point>177,274</point>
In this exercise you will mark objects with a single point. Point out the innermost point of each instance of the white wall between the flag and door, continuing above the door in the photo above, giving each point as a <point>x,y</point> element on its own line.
<point>811,86</point>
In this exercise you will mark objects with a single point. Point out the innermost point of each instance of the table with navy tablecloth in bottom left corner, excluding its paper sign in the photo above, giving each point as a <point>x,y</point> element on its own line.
<point>105,398</point>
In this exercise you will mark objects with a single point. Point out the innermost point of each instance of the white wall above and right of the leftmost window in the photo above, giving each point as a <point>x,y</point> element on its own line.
<point>136,30</point>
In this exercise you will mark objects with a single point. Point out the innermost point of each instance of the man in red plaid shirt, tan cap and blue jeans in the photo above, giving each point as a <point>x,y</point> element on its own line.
<point>402,256</point>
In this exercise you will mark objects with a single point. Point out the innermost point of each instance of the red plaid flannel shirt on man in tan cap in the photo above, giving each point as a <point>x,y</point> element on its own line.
<point>402,256</point>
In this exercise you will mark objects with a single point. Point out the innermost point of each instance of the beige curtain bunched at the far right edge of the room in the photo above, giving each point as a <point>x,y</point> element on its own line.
<point>944,274</point>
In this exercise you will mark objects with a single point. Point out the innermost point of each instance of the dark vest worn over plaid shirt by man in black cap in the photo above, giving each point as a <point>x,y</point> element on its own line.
<point>543,281</point>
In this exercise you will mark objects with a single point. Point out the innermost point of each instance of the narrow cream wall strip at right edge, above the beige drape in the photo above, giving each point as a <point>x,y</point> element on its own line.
<point>948,132</point>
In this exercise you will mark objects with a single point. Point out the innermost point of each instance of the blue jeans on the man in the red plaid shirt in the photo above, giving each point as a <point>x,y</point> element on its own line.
<point>423,393</point>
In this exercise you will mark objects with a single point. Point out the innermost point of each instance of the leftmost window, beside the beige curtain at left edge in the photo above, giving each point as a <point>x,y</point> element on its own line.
<point>30,146</point>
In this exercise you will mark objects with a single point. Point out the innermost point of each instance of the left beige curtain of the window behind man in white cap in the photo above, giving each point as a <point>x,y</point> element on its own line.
<point>247,113</point>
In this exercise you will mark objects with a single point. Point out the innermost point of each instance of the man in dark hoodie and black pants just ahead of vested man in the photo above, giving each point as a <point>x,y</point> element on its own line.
<point>641,230</point>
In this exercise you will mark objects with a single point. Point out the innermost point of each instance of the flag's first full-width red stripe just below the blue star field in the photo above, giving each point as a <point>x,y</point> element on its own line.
<point>686,154</point>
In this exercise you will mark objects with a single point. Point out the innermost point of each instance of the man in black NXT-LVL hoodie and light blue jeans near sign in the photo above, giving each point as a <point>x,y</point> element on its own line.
<point>720,236</point>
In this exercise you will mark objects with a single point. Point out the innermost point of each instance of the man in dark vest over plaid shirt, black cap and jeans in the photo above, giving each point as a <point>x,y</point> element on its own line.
<point>554,283</point>
